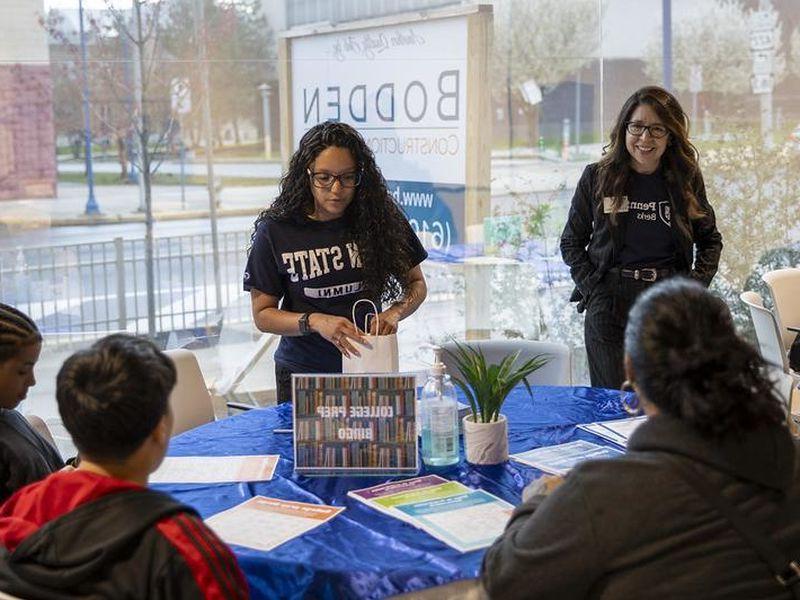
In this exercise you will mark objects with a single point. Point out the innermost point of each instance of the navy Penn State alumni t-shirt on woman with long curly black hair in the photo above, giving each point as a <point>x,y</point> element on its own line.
<point>312,266</point>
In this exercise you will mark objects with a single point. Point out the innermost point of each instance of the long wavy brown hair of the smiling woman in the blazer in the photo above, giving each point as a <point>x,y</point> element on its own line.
<point>678,163</point>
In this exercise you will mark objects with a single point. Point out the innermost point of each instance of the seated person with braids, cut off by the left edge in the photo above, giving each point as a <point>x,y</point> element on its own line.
<point>25,456</point>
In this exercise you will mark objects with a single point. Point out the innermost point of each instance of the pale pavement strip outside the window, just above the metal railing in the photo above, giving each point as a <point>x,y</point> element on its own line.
<point>120,204</point>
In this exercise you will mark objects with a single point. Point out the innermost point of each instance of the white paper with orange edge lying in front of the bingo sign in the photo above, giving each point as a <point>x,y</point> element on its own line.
<point>264,523</point>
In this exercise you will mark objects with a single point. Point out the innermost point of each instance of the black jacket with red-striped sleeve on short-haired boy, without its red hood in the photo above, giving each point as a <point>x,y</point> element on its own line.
<point>111,547</point>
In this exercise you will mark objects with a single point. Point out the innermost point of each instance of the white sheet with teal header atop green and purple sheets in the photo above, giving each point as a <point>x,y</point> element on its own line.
<point>466,522</point>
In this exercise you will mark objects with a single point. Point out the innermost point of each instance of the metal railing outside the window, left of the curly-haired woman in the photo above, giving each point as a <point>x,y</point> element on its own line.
<point>101,286</point>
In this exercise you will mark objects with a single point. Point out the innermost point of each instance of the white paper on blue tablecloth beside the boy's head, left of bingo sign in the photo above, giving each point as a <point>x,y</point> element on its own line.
<point>215,469</point>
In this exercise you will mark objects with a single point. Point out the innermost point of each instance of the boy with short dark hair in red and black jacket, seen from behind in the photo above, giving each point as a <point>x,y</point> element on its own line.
<point>98,531</point>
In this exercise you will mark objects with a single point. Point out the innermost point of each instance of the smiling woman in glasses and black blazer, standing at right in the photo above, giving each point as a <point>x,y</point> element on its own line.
<point>638,215</point>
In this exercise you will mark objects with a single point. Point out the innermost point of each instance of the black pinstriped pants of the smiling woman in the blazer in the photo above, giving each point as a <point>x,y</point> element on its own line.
<point>604,328</point>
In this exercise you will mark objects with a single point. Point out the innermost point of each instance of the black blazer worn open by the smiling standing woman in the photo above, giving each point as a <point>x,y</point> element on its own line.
<point>591,244</point>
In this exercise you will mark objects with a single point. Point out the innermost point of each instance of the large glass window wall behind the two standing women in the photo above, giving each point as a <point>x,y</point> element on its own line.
<point>179,102</point>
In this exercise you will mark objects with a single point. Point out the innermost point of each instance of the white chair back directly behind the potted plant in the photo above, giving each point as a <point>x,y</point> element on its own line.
<point>557,371</point>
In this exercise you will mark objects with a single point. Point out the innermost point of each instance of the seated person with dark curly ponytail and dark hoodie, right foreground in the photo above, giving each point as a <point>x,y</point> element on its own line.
<point>655,523</point>
